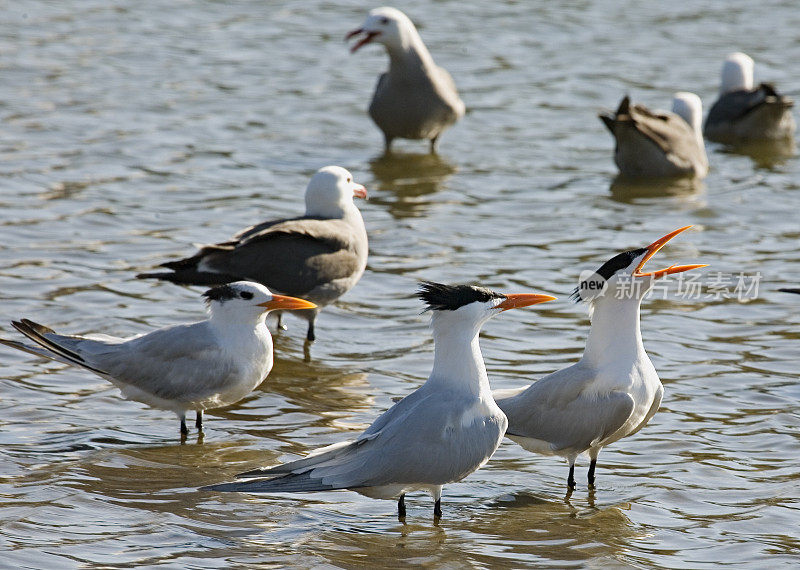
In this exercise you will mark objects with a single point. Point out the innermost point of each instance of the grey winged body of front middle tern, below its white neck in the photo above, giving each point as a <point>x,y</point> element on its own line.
<point>424,439</point>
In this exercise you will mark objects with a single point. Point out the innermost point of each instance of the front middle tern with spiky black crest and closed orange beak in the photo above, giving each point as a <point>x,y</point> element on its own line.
<point>438,434</point>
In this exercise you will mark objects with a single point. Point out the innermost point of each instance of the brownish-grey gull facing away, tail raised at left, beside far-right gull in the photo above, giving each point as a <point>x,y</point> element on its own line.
<point>659,144</point>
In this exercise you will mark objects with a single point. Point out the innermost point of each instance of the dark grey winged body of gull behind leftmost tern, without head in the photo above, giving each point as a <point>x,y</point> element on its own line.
<point>292,257</point>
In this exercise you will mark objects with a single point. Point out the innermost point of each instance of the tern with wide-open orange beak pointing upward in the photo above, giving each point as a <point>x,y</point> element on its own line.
<point>610,393</point>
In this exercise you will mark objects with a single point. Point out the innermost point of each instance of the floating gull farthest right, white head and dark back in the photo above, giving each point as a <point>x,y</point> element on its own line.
<point>744,113</point>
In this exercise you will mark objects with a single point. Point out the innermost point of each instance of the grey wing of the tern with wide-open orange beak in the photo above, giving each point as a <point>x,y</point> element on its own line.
<point>559,410</point>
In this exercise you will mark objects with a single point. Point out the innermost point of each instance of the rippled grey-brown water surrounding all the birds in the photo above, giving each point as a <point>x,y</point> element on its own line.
<point>132,130</point>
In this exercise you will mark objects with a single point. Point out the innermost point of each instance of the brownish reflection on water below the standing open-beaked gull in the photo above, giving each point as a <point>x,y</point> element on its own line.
<point>405,179</point>
